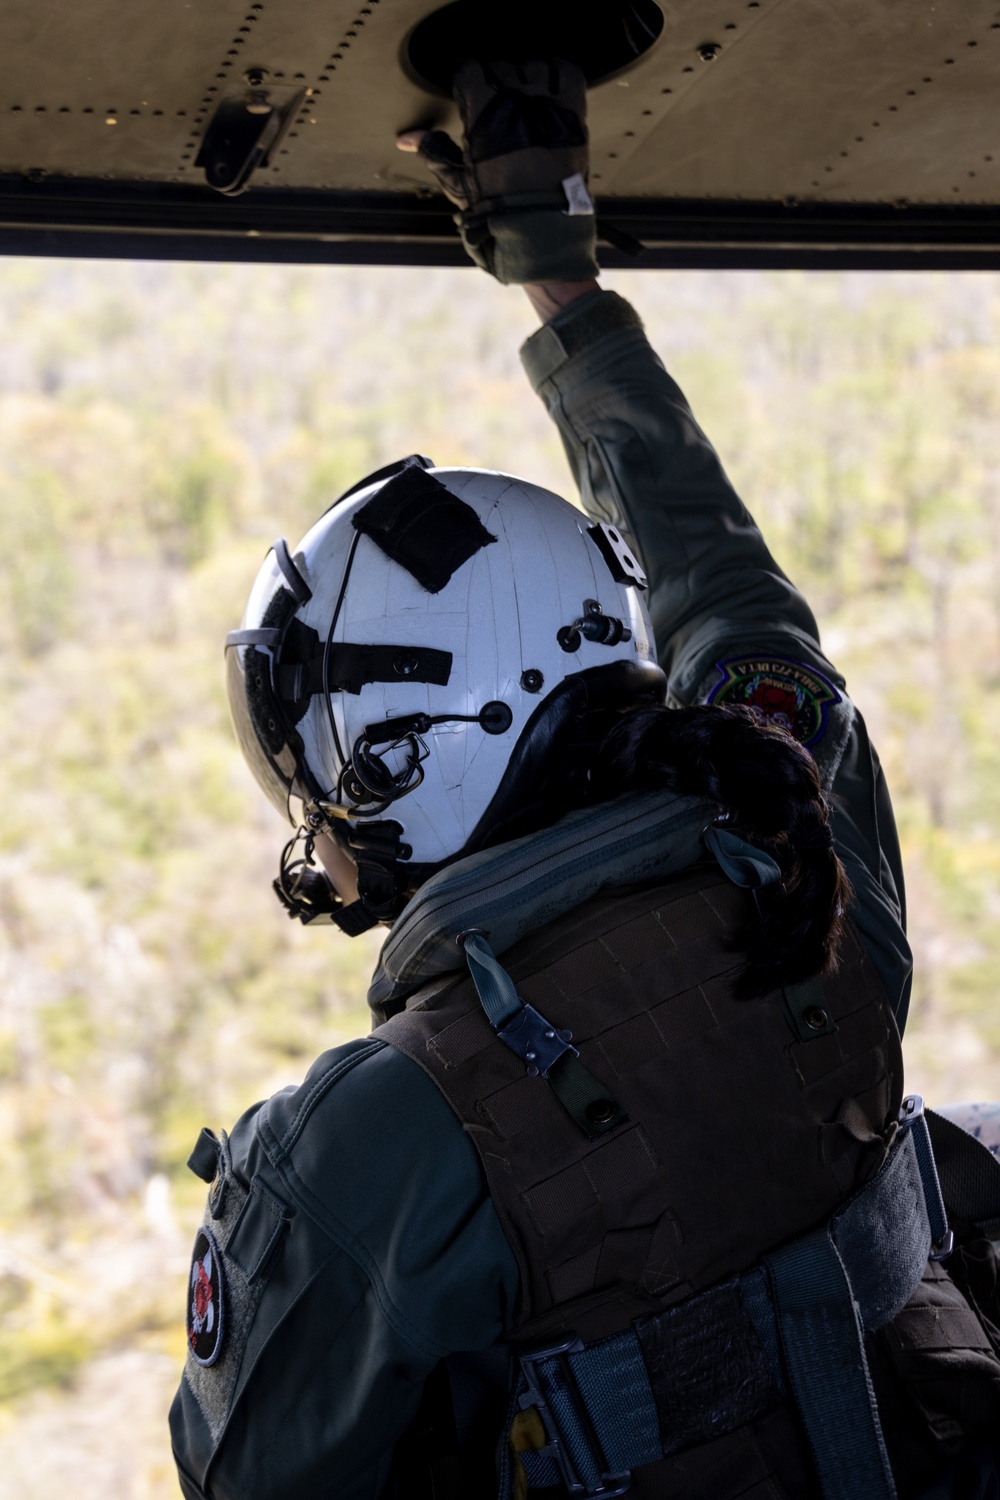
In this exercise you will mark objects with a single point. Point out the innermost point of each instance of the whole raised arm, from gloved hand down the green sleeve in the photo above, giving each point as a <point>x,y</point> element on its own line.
<point>731,628</point>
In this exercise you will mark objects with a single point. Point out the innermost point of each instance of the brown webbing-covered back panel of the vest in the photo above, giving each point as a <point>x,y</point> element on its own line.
<point>701,1180</point>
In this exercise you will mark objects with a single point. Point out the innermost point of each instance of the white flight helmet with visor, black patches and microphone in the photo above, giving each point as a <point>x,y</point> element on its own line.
<point>407,677</point>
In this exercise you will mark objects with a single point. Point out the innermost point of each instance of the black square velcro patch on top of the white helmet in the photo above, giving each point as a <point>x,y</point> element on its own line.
<point>424,527</point>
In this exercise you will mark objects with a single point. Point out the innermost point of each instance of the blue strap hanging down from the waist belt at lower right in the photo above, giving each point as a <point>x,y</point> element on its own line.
<point>822,1342</point>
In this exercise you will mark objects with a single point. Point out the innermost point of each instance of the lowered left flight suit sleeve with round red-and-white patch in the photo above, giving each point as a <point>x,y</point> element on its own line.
<point>350,1244</point>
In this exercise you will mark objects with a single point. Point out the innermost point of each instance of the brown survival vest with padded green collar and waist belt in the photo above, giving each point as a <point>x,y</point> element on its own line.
<point>681,1175</point>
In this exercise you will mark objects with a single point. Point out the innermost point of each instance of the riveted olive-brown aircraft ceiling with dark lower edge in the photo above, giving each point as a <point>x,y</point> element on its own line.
<point>749,133</point>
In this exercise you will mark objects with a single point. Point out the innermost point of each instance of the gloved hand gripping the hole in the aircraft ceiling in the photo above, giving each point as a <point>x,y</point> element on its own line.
<point>521,184</point>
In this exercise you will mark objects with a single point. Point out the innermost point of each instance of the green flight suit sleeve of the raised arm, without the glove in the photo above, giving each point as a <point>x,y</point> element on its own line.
<point>731,628</point>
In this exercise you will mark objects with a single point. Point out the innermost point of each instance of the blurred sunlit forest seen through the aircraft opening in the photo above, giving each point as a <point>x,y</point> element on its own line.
<point>160,425</point>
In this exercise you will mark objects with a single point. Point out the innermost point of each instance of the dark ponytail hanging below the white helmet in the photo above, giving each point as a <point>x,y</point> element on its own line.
<point>770,787</point>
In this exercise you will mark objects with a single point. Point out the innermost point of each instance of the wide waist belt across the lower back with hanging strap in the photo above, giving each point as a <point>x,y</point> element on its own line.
<point>717,1361</point>
